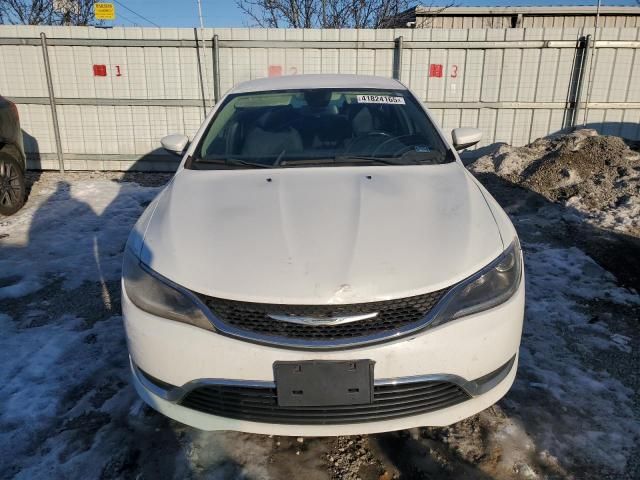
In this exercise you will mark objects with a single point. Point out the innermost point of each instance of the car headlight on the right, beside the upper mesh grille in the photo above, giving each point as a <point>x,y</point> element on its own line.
<point>491,286</point>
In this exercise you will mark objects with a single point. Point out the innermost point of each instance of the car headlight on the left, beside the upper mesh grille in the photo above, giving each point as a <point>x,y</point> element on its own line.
<point>153,293</point>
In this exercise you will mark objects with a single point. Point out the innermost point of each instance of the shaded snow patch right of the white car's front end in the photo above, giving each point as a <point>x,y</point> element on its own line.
<point>593,418</point>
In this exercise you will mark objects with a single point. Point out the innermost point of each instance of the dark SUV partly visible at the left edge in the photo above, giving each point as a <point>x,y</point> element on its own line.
<point>12,159</point>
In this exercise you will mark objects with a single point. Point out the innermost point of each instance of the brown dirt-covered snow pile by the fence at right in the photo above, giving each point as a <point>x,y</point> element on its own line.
<point>597,175</point>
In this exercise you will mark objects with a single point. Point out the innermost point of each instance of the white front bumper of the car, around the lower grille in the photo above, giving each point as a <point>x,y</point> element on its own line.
<point>465,349</point>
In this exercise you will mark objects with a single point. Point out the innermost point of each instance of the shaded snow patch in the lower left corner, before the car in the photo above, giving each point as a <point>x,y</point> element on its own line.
<point>56,419</point>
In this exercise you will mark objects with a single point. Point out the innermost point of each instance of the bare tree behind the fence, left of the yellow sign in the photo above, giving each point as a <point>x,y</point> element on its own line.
<point>47,12</point>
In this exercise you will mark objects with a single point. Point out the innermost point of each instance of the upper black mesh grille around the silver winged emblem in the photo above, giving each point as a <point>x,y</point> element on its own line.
<point>393,315</point>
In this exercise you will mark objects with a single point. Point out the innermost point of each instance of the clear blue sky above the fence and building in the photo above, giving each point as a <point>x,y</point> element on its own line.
<point>224,13</point>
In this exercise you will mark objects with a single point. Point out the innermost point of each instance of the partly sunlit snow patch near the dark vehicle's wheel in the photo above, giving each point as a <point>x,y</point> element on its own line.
<point>77,234</point>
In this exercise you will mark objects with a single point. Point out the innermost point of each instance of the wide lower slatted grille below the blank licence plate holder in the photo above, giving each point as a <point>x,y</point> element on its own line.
<point>259,404</point>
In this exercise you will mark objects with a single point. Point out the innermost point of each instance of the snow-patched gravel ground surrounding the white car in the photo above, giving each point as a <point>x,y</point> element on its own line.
<point>67,409</point>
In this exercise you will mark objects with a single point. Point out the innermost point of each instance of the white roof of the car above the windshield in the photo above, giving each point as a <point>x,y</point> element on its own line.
<point>293,82</point>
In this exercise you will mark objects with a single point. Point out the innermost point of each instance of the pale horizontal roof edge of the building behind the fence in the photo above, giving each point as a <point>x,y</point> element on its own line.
<point>530,10</point>
